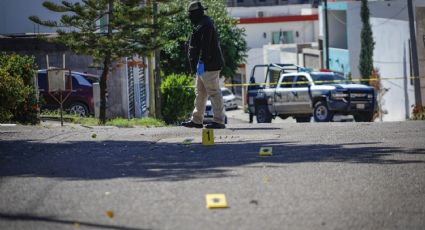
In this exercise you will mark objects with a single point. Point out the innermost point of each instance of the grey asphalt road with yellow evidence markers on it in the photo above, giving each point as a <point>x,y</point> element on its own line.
<point>321,176</point>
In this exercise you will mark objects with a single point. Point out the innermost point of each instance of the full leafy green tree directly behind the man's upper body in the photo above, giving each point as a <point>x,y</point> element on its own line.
<point>177,32</point>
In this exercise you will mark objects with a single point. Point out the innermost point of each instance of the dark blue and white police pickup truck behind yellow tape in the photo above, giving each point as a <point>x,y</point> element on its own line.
<point>292,91</point>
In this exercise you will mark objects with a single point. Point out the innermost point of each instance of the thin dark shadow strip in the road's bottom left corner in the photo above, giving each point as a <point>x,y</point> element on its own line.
<point>52,220</point>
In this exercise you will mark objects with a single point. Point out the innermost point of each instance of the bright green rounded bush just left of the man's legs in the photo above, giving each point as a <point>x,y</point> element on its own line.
<point>178,96</point>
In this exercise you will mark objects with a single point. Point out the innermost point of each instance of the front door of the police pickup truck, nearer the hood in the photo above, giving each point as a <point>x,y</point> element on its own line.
<point>299,95</point>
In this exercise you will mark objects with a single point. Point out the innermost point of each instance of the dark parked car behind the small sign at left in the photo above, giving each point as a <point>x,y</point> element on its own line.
<point>79,102</point>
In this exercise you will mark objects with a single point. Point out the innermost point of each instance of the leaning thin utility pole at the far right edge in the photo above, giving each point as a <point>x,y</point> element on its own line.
<point>418,99</point>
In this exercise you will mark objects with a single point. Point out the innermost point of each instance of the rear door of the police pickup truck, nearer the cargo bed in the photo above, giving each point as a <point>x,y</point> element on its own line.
<point>282,94</point>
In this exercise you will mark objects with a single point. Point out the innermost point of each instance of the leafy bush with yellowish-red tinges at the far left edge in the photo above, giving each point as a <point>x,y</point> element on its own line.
<point>17,92</point>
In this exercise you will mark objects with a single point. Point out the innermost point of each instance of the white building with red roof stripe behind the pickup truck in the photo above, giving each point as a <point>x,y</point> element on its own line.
<point>269,30</point>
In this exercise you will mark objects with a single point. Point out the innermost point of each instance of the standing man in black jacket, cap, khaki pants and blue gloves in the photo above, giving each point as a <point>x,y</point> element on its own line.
<point>206,59</point>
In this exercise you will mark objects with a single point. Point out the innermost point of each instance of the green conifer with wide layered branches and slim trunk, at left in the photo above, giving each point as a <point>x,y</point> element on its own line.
<point>129,29</point>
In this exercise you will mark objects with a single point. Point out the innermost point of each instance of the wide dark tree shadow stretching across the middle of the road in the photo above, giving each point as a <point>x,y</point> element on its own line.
<point>97,160</point>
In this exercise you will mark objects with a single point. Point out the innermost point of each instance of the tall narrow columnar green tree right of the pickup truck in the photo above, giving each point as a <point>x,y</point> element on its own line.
<point>367,44</point>
